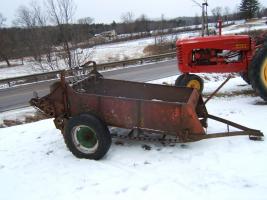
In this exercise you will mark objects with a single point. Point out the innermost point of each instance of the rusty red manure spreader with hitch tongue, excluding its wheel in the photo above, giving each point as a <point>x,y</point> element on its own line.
<point>175,111</point>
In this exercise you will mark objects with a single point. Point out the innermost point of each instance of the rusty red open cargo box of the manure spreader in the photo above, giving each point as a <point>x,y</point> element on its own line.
<point>145,106</point>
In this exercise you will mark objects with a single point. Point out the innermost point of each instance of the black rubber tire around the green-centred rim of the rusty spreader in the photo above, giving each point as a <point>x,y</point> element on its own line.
<point>101,132</point>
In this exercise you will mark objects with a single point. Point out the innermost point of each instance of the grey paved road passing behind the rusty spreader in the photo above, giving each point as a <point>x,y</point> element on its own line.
<point>17,97</point>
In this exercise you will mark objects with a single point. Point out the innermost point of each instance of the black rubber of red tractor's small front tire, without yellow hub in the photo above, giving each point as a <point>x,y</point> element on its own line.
<point>186,78</point>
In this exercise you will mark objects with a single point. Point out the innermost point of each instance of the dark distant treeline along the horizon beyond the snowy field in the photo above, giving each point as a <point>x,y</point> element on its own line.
<point>34,41</point>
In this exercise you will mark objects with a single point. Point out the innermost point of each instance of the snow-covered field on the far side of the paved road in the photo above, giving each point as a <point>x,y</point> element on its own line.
<point>122,50</point>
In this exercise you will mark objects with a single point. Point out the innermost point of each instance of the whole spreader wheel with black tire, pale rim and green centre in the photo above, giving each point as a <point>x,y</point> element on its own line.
<point>87,137</point>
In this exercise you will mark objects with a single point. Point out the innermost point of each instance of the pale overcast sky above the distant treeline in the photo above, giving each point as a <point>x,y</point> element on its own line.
<point>108,10</point>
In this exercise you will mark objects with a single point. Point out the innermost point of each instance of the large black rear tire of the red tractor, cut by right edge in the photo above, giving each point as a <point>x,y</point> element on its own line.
<point>256,68</point>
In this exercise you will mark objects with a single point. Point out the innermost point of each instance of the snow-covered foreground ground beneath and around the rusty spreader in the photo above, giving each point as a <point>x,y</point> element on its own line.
<point>35,163</point>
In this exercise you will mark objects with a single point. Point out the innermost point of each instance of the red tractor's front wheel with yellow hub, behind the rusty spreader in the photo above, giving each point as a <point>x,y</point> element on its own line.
<point>191,81</point>
